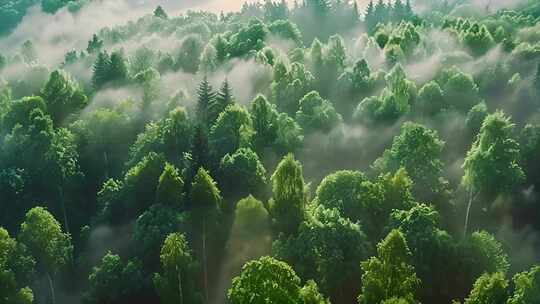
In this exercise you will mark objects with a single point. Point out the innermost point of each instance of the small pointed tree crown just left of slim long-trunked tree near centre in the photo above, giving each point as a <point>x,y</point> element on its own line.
<point>170,189</point>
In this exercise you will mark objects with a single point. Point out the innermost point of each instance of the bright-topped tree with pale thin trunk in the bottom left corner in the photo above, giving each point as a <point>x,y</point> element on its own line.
<point>43,236</point>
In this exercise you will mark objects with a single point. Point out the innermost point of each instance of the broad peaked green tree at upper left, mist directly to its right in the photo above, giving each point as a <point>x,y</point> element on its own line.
<point>63,96</point>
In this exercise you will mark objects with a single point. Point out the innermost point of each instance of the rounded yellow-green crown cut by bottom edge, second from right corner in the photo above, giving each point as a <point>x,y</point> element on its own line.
<point>489,288</point>
